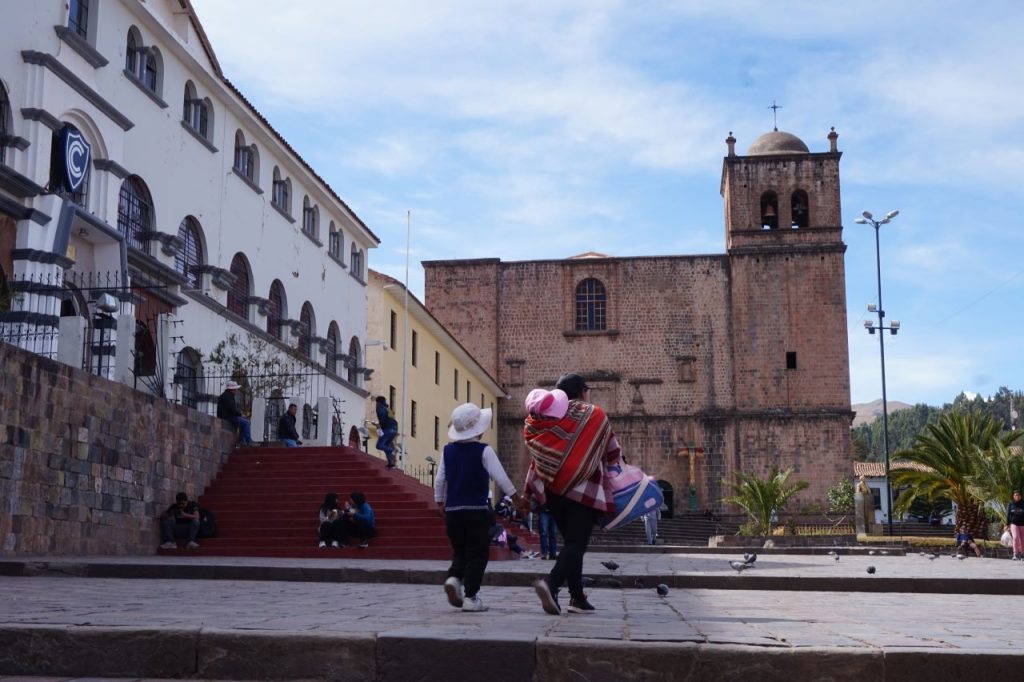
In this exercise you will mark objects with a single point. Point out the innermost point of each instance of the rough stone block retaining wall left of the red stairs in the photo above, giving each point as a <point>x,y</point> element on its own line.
<point>88,465</point>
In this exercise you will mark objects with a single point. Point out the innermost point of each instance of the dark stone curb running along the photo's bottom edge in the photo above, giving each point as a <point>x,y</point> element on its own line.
<point>87,652</point>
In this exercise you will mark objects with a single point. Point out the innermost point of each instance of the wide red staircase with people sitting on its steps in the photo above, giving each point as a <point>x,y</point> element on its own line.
<point>267,500</point>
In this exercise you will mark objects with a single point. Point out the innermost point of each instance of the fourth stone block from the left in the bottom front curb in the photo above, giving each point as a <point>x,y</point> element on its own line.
<point>570,660</point>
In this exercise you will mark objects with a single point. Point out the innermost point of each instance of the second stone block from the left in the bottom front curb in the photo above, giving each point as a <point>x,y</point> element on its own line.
<point>276,656</point>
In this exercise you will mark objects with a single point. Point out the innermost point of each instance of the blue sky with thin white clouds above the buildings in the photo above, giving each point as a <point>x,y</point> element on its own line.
<point>544,130</point>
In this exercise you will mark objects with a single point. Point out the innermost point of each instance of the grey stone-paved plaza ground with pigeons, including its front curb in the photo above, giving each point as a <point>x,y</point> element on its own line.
<point>391,621</point>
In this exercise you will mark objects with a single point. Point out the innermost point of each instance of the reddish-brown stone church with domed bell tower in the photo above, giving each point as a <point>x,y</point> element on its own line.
<point>708,366</point>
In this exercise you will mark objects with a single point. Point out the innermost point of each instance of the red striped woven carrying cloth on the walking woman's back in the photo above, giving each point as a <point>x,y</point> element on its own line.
<point>568,455</point>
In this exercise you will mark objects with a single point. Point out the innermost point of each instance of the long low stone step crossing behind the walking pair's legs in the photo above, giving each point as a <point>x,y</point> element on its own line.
<point>747,581</point>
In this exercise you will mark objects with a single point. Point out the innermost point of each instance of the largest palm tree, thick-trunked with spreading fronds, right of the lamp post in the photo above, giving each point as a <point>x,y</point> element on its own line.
<point>951,452</point>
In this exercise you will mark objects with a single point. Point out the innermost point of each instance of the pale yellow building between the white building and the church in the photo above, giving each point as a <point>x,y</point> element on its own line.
<point>422,371</point>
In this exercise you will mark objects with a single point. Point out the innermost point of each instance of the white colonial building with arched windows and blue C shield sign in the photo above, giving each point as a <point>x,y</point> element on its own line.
<point>149,215</point>
